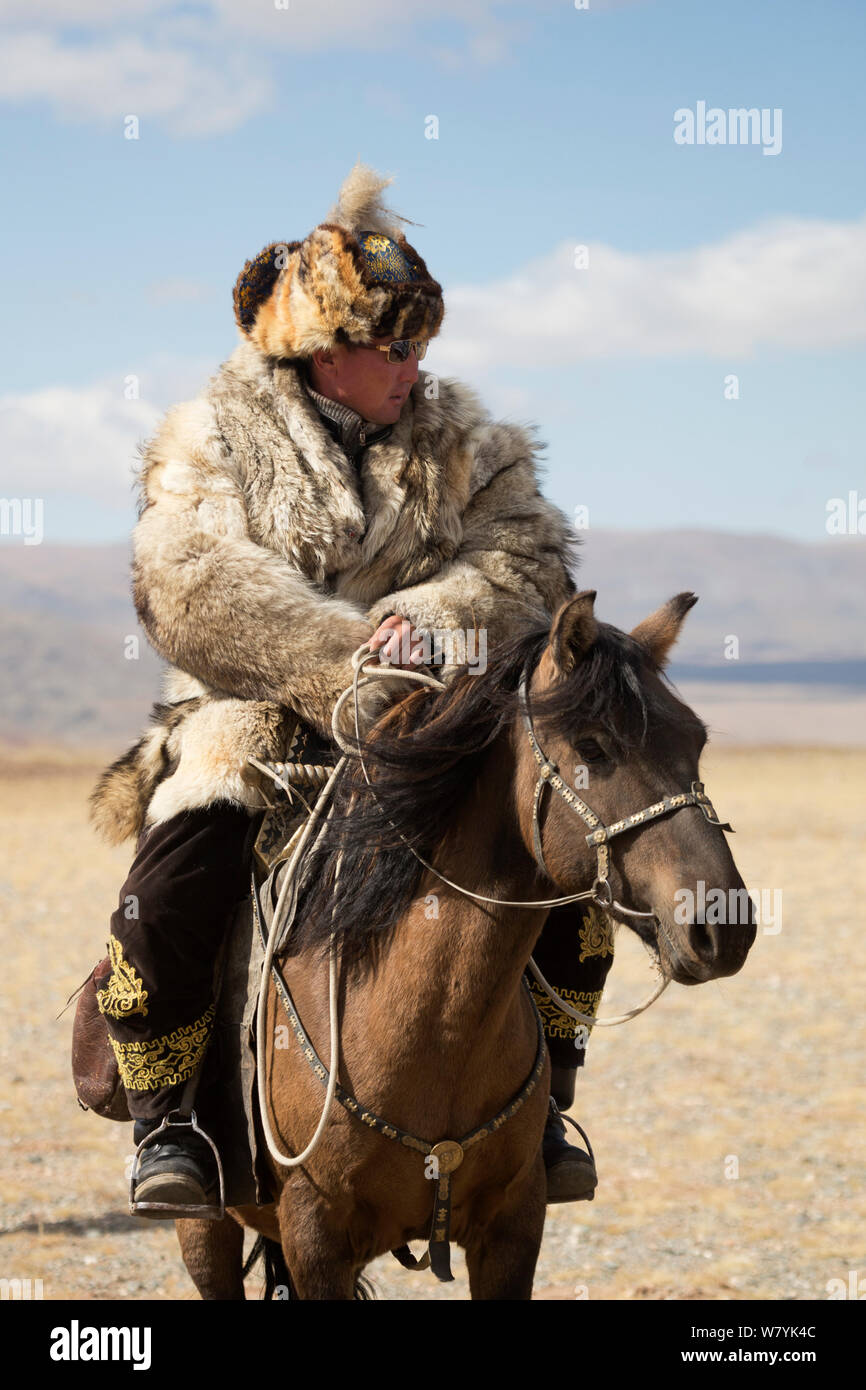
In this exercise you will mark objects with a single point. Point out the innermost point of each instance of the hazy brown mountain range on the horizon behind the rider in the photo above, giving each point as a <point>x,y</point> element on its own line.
<point>799,612</point>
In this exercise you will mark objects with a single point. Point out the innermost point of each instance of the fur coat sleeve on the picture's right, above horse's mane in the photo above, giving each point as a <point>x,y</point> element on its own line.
<point>518,553</point>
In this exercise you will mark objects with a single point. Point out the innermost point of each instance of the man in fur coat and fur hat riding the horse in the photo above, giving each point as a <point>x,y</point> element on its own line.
<point>316,496</point>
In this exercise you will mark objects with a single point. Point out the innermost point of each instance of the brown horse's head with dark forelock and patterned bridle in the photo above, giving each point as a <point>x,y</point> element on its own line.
<point>622,743</point>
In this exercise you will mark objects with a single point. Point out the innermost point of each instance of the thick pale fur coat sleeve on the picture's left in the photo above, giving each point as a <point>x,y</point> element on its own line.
<point>216,604</point>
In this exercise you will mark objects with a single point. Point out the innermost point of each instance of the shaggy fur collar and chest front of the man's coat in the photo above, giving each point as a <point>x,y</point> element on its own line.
<point>311,504</point>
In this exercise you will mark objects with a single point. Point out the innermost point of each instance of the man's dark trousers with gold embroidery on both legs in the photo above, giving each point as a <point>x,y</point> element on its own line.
<point>174,910</point>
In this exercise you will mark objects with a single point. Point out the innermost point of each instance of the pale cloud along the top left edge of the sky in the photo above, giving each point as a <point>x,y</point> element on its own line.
<point>209,69</point>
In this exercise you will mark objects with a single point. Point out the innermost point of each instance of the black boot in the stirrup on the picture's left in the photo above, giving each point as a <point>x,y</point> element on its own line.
<point>179,1170</point>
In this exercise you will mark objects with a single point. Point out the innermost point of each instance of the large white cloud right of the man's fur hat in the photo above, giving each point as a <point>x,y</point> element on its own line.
<point>792,284</point>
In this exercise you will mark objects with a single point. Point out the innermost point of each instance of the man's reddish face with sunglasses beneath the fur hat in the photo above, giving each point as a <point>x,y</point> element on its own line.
<point>365,380</point>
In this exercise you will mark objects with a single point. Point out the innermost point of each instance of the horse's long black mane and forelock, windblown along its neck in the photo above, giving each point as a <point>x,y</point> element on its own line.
<point>425,757</point>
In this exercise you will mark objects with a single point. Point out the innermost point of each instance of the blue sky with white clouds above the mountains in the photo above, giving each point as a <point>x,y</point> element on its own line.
<point>679,313</point>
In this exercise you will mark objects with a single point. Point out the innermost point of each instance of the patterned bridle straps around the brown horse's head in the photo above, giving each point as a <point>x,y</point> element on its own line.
<point>600,835</point>
